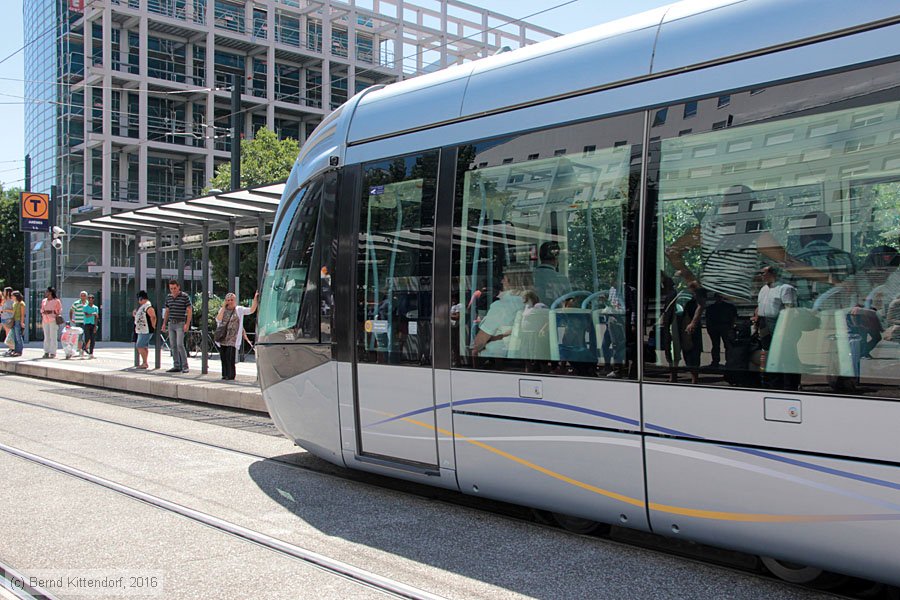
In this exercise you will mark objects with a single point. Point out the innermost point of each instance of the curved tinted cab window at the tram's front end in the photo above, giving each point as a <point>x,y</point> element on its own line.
<point>288,308</point>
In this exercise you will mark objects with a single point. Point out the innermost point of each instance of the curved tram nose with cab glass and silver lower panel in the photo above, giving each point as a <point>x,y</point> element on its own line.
<point>297,373</point>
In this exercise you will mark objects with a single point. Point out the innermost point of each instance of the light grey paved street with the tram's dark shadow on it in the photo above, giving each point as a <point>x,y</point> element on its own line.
<point>59,523</point>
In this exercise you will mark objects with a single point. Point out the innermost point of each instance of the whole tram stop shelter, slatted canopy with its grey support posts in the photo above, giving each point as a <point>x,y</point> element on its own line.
<point>244,214</point>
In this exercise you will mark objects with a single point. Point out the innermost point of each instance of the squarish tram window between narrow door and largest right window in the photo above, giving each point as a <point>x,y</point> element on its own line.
<point>543,265</point>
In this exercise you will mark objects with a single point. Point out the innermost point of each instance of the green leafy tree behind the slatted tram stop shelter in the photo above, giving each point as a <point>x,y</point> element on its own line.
<point>264,159</point>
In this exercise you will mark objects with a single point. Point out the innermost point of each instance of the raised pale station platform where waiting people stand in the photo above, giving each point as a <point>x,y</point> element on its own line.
<point>113,368</point>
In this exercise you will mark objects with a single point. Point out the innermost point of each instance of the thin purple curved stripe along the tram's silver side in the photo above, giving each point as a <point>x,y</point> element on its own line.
<point>657,428</point>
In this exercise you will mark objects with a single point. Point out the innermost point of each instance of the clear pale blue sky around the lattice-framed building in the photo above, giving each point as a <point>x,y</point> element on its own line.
<point>564,16</point>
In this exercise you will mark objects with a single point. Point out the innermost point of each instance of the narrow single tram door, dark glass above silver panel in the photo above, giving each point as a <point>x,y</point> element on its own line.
<point>393,329</point>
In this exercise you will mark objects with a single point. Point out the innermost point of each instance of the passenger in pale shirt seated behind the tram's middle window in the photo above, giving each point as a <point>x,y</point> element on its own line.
<point>494,329</point>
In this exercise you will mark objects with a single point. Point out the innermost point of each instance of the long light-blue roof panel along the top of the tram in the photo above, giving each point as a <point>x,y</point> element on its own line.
<point>662,41</point>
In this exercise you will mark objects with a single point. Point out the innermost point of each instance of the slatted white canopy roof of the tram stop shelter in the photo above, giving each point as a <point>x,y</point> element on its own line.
<point>216,211</point>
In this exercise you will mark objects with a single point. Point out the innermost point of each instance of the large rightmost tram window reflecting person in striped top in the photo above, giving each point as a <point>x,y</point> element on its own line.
<point>783,274</point>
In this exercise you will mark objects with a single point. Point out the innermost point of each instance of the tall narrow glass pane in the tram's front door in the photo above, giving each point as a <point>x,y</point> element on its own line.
<point>395,260</point>
